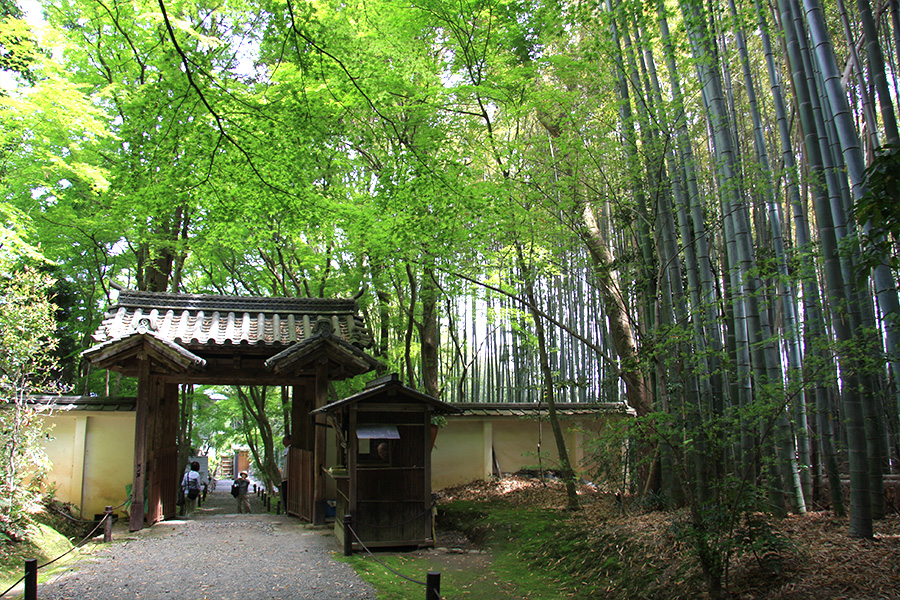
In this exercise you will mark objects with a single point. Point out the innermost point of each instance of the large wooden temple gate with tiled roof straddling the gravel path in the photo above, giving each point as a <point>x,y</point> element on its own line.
<point>169,339</point>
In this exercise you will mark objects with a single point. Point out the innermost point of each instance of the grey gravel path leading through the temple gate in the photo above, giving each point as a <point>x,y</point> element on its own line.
<point>214,554</point>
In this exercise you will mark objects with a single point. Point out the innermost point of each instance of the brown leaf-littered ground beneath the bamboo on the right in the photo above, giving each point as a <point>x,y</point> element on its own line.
<point>618,552</point>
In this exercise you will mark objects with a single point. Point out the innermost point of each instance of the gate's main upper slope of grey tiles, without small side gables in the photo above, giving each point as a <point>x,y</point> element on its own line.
<point>203,321</point>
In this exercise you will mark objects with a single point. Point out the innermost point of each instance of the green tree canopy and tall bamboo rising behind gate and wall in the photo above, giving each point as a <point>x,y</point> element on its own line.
<point>689,207</point>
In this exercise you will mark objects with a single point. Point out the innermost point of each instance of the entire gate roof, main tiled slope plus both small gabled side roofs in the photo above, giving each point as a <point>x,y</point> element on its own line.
<point>194,333</point>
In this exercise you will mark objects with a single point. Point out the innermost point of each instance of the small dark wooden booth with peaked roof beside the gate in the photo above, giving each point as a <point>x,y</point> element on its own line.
<point>383,477</point>
